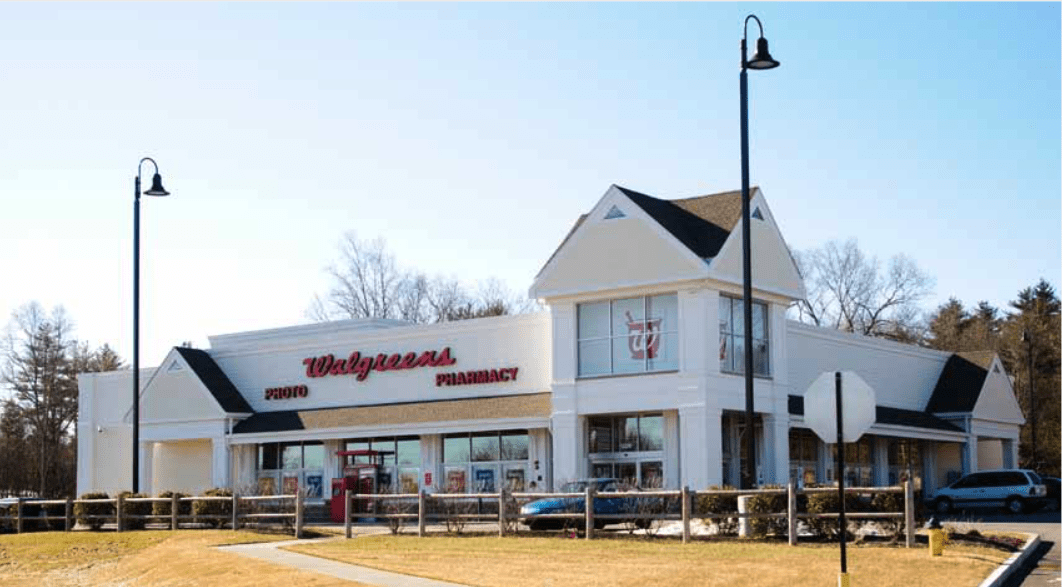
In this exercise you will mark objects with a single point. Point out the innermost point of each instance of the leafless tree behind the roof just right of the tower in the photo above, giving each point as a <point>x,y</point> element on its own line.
<point>849,291</point>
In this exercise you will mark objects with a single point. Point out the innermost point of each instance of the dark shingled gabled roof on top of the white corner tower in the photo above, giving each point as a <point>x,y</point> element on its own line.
<point>701,223</point>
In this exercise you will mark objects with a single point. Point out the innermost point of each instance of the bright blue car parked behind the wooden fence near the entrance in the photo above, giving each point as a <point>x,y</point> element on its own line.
<point>578,506</point>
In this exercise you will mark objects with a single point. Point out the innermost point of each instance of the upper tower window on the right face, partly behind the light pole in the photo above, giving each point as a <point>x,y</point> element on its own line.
<point>732,337</point>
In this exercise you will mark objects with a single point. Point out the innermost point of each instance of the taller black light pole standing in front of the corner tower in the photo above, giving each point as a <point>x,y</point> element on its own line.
<point>762,60</point>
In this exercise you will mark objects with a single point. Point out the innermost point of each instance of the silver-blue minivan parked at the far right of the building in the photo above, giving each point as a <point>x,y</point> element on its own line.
<point>1017,491</point>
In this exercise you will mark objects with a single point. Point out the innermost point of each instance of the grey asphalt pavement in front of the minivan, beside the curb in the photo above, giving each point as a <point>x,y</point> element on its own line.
<point>1043,571</point>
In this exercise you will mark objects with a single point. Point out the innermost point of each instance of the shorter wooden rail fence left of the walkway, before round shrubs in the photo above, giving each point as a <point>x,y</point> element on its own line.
<point>236,519</point>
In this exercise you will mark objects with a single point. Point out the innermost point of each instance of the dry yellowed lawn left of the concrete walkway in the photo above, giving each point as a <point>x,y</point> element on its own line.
<point>144,559</point>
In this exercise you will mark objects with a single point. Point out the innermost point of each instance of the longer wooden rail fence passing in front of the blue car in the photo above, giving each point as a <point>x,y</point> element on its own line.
<point>588,517</point>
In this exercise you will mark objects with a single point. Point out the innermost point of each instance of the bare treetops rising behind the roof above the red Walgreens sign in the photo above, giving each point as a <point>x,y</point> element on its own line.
<point>369,283</point>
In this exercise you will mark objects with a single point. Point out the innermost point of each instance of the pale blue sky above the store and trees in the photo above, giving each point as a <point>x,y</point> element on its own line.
<point>471,136</point>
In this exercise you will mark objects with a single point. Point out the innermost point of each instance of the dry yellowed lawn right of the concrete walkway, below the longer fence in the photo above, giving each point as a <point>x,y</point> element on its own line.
<point>538,562</point>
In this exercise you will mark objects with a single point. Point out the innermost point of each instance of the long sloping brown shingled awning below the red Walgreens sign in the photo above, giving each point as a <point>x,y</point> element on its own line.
<point>511,407</point>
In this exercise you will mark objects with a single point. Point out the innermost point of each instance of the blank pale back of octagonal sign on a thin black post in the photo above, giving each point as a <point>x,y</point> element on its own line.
<point>858,404</point>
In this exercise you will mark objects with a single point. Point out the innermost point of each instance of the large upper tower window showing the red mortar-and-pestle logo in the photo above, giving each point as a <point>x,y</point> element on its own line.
<point>636,335</point>
